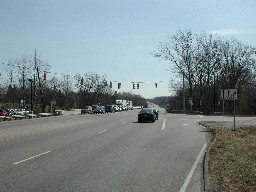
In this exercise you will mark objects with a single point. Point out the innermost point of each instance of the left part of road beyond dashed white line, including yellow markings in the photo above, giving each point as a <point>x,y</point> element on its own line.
<point>54,133</point>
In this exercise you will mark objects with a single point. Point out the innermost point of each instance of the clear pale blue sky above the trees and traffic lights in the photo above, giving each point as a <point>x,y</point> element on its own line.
<point>115,37</point>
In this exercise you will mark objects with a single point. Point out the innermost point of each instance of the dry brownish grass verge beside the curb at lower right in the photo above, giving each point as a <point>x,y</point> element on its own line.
<point>232,158</point>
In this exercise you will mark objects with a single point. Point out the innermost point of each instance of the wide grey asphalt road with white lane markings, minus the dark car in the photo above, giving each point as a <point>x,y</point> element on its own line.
<point>105,152</point>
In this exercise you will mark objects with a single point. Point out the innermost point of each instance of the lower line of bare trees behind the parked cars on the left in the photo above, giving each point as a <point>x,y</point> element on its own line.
<point>31,76</point>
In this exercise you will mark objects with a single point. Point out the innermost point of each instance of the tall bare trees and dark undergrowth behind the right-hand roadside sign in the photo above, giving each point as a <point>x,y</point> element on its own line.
<point>208,64</point>
